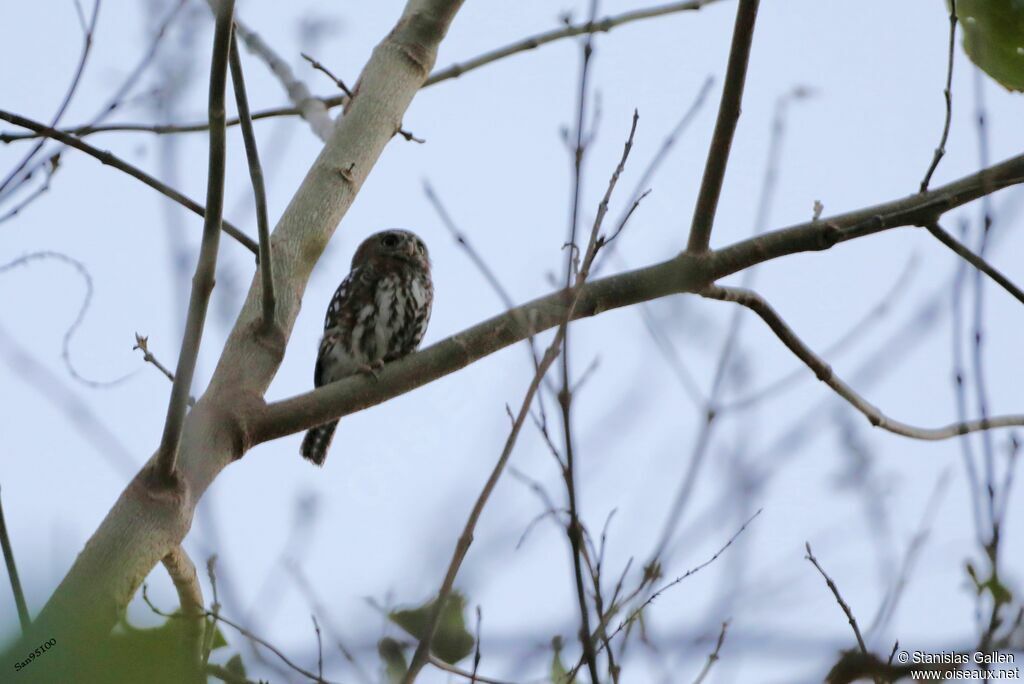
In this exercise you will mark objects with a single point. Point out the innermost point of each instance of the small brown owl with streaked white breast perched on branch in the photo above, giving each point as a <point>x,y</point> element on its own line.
<point>378,314</point>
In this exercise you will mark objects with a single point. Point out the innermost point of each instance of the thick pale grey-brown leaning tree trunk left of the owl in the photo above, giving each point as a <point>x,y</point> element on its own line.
<point>146,525</point>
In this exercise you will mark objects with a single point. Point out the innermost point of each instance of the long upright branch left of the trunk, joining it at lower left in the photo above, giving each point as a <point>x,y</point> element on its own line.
<point>207,264</point>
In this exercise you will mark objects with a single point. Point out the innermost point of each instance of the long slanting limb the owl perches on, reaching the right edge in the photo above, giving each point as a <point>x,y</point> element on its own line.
<point>682,274</point>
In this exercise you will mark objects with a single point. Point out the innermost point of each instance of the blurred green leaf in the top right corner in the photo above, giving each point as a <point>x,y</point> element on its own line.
<point>994,38</point>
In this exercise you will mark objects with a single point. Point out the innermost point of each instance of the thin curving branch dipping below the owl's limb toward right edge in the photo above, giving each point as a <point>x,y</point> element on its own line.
<point>825,373</point>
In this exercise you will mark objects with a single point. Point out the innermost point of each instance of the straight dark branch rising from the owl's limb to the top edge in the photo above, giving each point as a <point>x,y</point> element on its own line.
<point>726,127</point>
